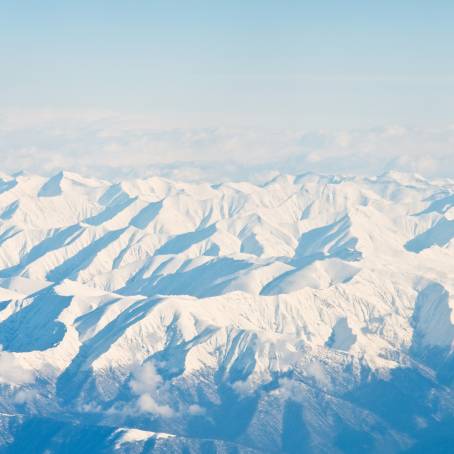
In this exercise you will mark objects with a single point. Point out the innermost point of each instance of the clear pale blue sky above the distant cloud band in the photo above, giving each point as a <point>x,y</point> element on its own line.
<point>318,64</point>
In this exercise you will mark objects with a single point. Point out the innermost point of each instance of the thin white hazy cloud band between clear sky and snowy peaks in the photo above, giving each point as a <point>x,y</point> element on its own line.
<point>112,146</point>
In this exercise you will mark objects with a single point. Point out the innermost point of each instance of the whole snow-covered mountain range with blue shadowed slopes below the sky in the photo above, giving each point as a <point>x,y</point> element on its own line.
<point>308,314</point>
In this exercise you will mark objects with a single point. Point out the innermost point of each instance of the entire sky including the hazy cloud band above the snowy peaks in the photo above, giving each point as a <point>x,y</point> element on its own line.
<point>202,91</point>
